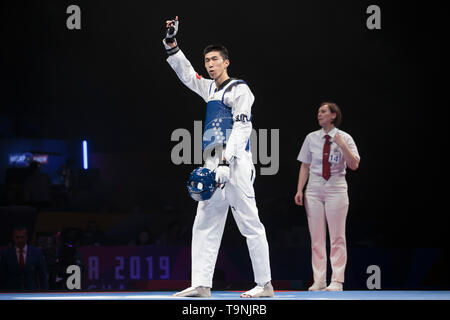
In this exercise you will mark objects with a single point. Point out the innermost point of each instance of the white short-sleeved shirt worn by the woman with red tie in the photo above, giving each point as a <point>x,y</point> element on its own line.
<point>312,151</point>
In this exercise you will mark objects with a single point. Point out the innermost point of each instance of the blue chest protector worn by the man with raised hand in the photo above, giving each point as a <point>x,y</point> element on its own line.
<point>219,121</point>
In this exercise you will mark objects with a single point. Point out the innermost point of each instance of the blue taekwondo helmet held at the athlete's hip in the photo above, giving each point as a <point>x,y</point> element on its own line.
<point>202,184</point>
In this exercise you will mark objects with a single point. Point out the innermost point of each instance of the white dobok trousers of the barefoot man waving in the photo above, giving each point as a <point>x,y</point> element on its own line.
<point>210,221</point>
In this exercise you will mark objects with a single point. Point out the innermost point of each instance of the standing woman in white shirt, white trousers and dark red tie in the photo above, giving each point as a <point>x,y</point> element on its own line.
<point>324,155</point>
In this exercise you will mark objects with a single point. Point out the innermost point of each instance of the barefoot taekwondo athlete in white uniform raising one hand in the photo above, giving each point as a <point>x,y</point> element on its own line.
<point>228,123</point>
